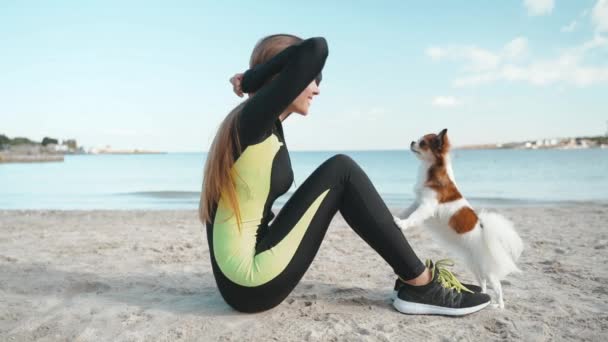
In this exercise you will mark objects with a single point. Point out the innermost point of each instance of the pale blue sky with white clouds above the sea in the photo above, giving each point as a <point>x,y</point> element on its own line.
<point>154,75</point>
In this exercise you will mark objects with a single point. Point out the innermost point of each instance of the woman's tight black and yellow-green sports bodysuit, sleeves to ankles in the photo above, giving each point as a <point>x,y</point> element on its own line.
<point>257,266</point>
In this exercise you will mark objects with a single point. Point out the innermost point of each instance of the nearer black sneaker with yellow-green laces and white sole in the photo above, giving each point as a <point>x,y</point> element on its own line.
<point>442,296</point>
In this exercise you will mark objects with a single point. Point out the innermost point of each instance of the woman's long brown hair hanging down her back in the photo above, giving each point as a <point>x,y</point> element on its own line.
<point>219,176</point>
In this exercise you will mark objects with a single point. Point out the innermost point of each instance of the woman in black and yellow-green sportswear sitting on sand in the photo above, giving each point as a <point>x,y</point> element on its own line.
<point>257,263</point>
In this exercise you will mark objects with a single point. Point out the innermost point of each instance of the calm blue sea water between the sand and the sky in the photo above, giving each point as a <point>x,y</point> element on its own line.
<point>173,181</point>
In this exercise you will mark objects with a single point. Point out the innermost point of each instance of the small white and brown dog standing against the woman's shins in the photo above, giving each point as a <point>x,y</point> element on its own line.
<point>487,242</point>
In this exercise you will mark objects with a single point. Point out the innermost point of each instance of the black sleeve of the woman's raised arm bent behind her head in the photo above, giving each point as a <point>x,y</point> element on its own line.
<point>296,67</point>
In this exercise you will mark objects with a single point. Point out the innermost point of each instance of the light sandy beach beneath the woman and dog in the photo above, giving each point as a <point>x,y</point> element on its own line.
<point>146,275</point>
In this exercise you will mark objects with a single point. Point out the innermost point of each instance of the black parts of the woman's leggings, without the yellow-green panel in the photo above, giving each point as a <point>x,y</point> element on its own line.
<point>352,193</point>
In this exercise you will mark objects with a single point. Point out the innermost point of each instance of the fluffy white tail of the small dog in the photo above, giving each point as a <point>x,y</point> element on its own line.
<point>502,241</point>
